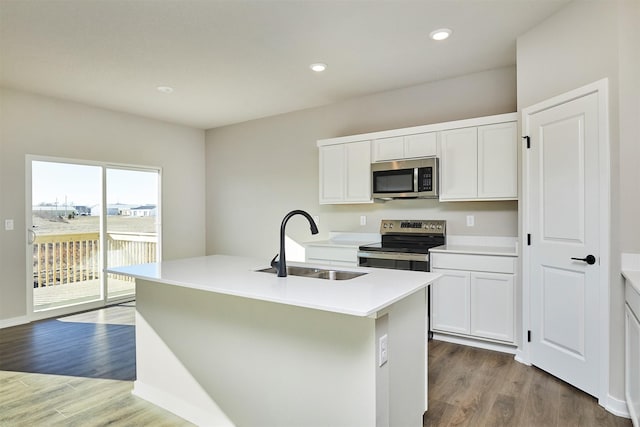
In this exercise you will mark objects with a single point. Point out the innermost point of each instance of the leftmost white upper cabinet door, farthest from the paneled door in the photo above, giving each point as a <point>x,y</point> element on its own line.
<point>332,173</point>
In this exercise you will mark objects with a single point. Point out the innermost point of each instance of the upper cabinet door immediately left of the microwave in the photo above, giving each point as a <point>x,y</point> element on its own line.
<point>358,172</point>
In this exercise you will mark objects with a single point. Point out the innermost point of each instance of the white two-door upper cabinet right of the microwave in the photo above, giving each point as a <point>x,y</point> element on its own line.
<point>479,163</point>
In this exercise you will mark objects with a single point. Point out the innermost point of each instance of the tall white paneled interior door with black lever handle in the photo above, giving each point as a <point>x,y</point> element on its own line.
<point>563,208</point>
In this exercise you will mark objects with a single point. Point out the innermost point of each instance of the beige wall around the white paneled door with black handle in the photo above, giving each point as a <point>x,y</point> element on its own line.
<point>585,42</point>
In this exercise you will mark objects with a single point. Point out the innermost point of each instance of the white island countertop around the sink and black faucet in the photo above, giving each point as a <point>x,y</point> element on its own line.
<point>362,296</point>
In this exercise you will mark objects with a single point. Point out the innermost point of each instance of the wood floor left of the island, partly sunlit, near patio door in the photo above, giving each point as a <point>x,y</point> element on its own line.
<point>74,371</point>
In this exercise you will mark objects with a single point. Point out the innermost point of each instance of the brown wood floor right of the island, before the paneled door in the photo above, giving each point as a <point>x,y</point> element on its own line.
<point>474,387</point>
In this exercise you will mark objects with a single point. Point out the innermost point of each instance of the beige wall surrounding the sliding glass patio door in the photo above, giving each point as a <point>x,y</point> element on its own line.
<point>31,124</point>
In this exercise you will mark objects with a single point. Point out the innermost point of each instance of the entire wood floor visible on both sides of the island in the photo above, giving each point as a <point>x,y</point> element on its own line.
<point>79,371</point>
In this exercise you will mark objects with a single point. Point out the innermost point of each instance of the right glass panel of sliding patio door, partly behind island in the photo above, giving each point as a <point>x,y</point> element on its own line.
<point>132,224</point>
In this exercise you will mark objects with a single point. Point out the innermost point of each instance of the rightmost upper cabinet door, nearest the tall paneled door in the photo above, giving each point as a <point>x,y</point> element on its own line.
<point>498,161</point>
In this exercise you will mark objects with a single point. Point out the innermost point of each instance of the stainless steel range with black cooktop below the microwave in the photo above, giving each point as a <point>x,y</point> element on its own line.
<point>405,244</point>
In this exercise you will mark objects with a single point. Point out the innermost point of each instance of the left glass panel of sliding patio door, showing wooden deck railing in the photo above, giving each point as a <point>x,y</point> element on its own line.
<point>65,220</point>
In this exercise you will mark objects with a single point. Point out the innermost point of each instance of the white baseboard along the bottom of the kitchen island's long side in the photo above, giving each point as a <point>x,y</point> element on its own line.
<point>179,406</point>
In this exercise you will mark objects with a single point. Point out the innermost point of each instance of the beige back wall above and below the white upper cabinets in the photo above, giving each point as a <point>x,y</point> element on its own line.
<point>259,170</point>
